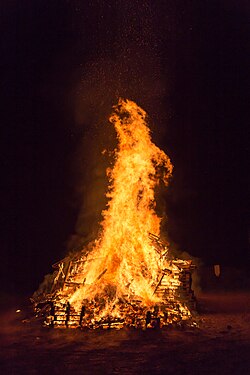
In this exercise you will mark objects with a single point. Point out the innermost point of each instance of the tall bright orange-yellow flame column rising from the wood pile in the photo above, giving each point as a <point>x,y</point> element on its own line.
<point>124,261</point>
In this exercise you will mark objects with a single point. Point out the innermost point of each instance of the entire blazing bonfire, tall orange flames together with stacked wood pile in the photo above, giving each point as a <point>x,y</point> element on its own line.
<point>127,277</point>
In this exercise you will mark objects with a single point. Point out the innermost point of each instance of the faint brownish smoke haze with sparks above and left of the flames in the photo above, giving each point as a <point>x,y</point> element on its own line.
<point>126,64</point>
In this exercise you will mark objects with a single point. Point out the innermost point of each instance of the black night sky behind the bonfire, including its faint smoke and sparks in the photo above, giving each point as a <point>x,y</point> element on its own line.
<point>63,65</point>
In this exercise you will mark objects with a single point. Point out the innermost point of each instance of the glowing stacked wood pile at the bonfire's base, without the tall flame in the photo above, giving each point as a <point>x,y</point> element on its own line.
<point>177,306</point>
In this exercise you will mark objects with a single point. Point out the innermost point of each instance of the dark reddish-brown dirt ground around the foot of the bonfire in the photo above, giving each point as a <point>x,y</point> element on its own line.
<point>221,345</point>
